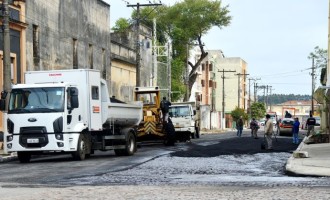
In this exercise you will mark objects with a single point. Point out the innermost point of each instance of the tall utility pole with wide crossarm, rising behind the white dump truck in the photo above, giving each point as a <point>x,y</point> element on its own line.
<point>137,38</point>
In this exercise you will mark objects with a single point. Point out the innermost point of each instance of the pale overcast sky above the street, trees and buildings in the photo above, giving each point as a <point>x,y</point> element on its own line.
<point>274,37</point>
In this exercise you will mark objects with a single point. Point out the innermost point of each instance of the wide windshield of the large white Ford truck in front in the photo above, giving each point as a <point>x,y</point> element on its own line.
<point>36,100</point>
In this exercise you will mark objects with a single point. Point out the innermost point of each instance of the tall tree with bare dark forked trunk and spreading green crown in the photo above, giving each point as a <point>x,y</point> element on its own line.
<point>187,22</point>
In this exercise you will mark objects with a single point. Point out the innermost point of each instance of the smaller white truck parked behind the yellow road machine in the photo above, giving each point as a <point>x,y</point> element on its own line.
<point>185,120</point>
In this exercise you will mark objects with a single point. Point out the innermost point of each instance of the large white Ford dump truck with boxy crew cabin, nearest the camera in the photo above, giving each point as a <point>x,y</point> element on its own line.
<point>68,111</point>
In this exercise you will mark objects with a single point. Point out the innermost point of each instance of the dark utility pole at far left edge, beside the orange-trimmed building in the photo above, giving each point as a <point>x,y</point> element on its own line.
<point>6,53</point>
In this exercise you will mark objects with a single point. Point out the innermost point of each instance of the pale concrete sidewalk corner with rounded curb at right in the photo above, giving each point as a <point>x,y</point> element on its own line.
<point>317,162</point>
